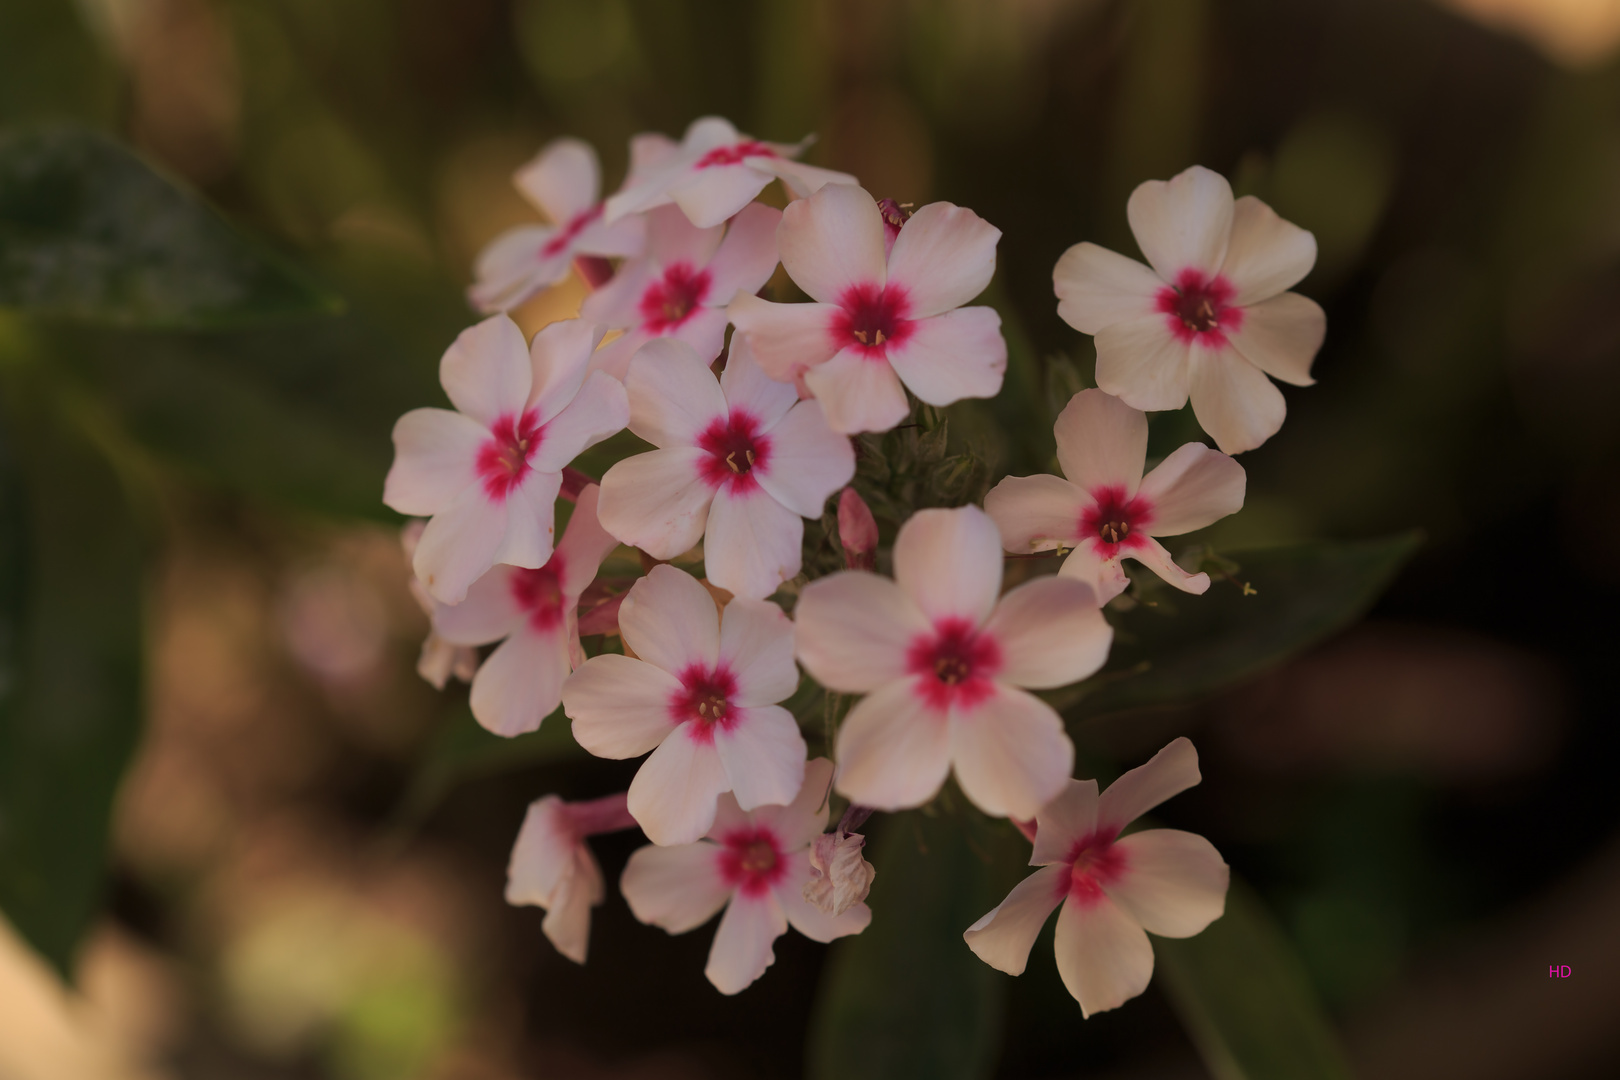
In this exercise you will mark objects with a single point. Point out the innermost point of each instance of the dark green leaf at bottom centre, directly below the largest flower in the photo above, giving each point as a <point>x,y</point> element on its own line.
<point>908,998</point>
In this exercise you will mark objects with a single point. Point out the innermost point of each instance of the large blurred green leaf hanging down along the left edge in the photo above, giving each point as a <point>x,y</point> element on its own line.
<point>70,676</point>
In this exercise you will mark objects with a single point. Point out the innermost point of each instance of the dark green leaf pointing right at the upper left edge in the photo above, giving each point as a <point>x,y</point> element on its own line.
<point>92,232</point>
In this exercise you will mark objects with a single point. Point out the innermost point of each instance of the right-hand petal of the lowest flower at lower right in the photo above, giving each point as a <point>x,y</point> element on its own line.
<point>1174,883</point>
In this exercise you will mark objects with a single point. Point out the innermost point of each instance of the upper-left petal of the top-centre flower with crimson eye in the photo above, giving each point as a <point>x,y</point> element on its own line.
<point>832,242</point>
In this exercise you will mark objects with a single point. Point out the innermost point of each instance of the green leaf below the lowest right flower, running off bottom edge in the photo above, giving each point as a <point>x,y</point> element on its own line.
<point>1245,998</point>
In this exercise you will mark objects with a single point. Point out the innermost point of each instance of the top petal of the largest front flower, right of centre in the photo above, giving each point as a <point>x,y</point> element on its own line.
<point>950,563</point>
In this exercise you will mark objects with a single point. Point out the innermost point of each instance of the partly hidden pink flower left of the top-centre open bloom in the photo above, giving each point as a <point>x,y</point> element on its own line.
<point>681,287</point>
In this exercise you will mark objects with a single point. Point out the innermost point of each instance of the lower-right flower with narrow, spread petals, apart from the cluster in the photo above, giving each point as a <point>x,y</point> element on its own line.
<point>1112,890</point>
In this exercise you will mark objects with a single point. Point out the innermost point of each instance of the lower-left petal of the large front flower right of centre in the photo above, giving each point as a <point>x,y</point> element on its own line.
<point>893,750</point>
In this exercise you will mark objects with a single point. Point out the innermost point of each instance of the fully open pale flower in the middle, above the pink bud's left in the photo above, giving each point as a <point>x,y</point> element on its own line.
<point>741,462</point>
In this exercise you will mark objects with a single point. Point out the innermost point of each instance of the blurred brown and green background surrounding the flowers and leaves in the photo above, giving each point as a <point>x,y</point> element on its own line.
<point>1426,802</point>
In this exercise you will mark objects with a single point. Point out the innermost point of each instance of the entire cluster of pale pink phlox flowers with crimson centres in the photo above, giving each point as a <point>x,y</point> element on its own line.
<point>748,412</point>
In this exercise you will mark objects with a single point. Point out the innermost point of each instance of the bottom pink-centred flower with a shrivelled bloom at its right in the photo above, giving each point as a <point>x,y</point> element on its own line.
<point>756,865</point>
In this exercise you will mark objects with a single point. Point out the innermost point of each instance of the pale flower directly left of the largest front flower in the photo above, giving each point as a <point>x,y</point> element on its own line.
<point>702,695</point>
